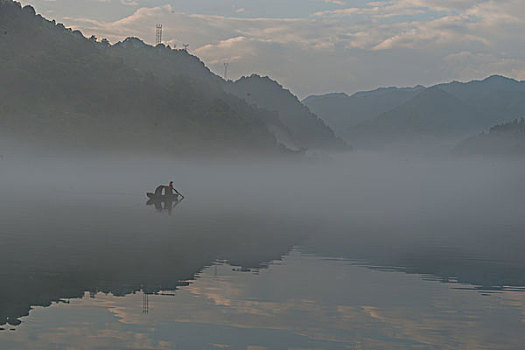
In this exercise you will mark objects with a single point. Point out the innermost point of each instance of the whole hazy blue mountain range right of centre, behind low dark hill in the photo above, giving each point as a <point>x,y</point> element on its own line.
<point>441,113</point>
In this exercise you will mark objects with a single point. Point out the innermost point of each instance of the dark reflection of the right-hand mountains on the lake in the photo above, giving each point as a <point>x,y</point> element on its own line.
<point>487,257</point>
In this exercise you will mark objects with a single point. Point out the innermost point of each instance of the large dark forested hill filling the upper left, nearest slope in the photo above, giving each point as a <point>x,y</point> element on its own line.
<point>77,92</point>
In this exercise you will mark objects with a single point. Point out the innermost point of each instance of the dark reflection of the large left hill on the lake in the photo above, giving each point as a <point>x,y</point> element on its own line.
<point>66,249</point>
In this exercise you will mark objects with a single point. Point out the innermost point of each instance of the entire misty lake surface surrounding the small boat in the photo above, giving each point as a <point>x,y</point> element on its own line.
<point>311,252</point>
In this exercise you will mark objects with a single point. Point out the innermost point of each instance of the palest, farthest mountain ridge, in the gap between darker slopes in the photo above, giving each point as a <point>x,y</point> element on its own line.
<point>342,112</point>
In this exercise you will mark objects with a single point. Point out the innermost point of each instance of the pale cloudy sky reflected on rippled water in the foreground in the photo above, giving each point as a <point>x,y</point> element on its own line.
<point>300,302</point>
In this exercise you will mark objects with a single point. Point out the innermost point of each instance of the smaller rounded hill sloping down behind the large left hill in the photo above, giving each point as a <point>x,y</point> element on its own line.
<point>305,127</point>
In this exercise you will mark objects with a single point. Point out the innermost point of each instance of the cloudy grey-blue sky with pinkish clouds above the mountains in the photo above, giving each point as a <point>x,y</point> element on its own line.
<point>321,46</point>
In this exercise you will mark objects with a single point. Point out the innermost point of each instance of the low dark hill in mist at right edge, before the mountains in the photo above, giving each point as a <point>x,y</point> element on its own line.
<point>504,139</point>
